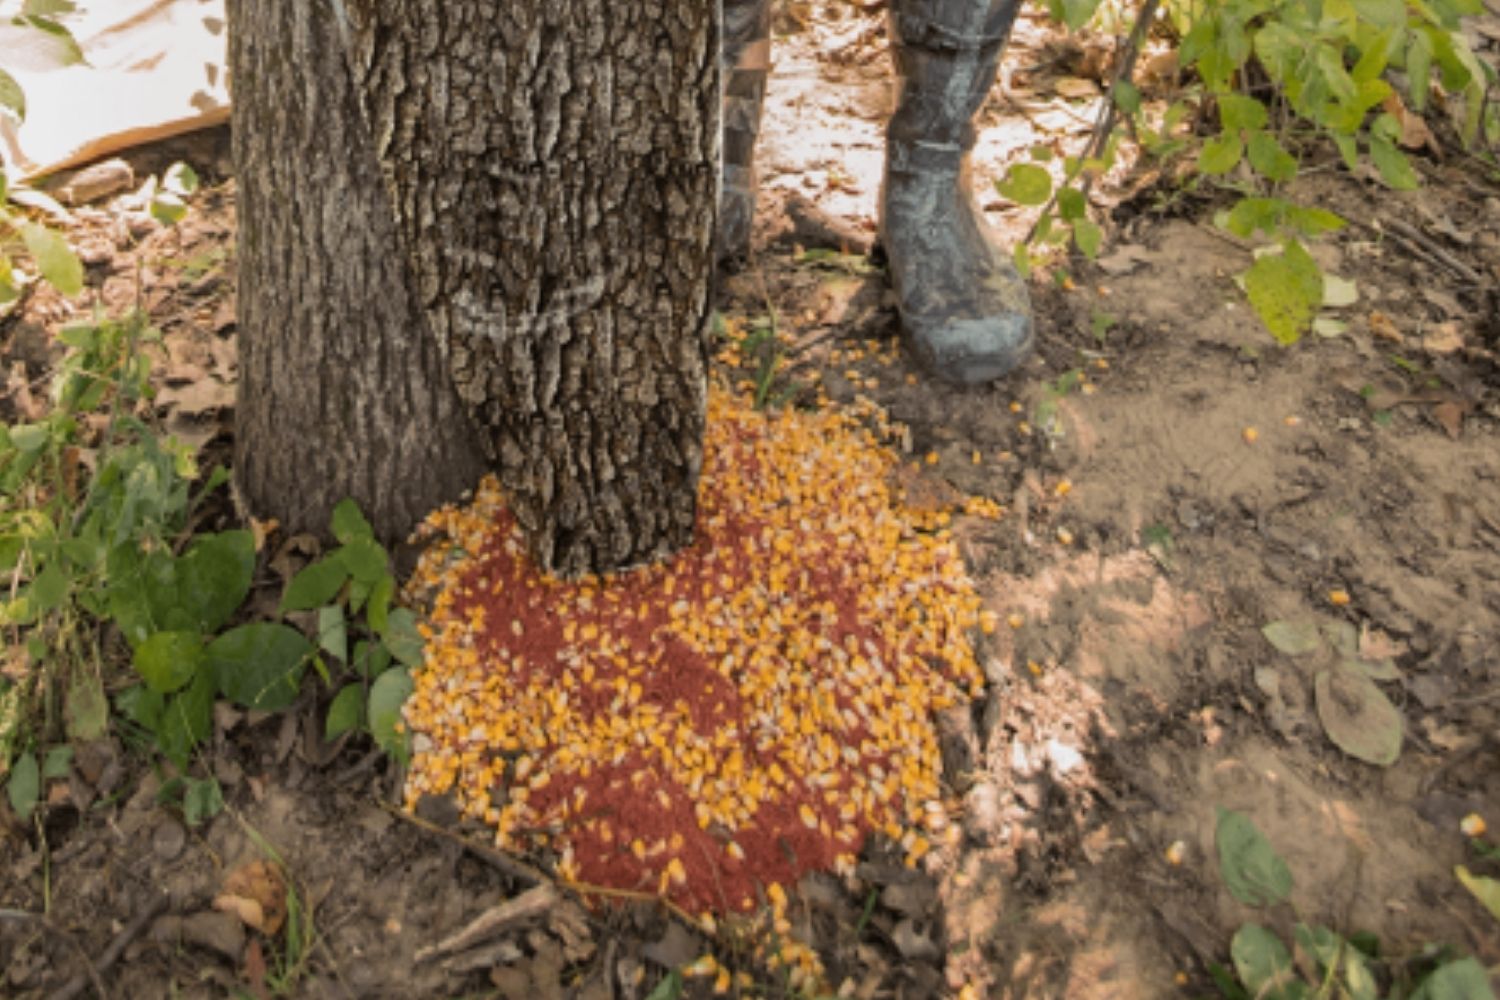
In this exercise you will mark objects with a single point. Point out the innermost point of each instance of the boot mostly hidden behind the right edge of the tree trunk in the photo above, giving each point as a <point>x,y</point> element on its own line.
<point>746,62</point>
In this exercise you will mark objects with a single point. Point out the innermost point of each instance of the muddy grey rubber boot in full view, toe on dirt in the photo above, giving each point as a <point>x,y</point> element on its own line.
<point>964,307</point>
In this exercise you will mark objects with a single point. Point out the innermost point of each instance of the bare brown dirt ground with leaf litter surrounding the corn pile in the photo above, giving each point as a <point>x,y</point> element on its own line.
<point>1174,482</point>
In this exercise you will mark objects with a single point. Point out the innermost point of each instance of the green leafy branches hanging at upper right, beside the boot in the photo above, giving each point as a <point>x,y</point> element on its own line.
<point>1268,76</point>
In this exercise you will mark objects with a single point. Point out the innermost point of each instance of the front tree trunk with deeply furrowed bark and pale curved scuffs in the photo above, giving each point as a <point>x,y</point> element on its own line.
<point>553,167</point>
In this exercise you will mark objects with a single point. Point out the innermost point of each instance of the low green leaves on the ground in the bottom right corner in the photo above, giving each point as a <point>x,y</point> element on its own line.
<point>1318,963</point>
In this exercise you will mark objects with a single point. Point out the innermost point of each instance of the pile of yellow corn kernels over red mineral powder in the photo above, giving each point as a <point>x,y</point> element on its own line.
<point>712,728</point>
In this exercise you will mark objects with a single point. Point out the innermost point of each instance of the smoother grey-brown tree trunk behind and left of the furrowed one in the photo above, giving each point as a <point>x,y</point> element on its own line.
<point>343,389</point>
